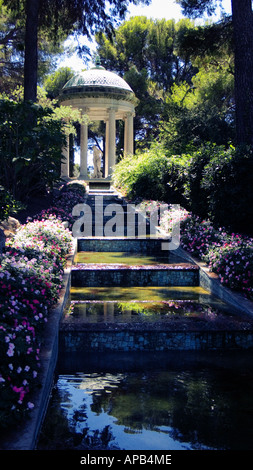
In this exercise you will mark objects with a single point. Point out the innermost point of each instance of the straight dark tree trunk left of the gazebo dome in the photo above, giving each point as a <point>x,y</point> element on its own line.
<point>31,50</point>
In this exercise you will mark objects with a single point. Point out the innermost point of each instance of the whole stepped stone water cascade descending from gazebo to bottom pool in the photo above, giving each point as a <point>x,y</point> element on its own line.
<point>128,293</point>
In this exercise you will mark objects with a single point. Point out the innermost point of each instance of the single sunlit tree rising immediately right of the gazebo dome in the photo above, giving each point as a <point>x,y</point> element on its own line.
<point>145,52</point>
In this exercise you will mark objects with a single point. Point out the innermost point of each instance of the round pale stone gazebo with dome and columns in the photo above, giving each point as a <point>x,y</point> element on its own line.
<point>102,96</point>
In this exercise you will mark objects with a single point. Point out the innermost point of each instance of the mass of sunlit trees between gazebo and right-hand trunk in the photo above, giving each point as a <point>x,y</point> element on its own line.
<point>184,82</point>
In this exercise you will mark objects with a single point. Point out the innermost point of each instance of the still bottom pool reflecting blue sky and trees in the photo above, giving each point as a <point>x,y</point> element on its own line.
<point>151,401</point>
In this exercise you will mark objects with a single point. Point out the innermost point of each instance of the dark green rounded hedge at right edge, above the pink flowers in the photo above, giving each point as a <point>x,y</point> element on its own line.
<point>219,185</point>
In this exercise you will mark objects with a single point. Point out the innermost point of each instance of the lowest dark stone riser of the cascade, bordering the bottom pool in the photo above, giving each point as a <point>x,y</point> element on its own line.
<point>126,340</point>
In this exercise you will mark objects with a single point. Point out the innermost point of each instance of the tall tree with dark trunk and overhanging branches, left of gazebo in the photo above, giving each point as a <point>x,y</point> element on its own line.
<point>79,16</point>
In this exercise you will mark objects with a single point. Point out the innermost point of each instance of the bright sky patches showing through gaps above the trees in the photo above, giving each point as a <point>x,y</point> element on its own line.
<point>158,9</point>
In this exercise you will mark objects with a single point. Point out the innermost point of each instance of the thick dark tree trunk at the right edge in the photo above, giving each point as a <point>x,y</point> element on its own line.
<point>243,40</point>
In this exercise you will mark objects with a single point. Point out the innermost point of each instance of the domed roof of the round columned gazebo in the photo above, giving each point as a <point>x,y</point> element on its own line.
<point>97,80</point>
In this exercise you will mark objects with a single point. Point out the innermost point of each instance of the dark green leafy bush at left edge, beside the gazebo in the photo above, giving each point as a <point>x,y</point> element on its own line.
<point>31,141</point>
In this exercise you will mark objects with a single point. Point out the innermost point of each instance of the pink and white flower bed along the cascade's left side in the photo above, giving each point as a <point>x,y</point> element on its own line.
<point>31,273</point>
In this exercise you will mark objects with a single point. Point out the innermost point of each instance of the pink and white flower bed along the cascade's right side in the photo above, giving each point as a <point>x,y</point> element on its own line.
<point>228,255</point>
